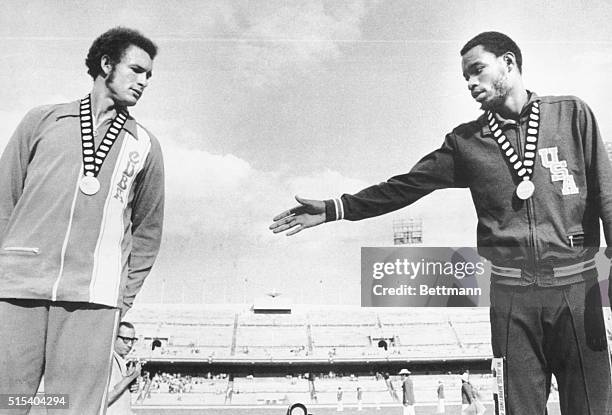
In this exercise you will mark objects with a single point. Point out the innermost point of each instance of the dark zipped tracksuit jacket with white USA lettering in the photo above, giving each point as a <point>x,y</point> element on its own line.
<point>546,240</point>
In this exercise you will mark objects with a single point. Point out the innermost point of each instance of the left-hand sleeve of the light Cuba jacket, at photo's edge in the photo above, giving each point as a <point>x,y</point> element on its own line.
<point>13,166</point>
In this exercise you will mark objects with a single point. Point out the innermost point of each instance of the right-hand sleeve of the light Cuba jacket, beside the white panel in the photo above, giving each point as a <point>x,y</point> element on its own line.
<point>147,223</point>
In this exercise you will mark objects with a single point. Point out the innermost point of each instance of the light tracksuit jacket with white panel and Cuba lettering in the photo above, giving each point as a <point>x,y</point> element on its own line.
<point>59,244</point>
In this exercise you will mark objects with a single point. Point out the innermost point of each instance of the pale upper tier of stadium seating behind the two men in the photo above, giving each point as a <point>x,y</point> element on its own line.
<point>309,332</point>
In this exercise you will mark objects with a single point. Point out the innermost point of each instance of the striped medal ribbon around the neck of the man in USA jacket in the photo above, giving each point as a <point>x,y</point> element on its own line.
<point>524,168</point>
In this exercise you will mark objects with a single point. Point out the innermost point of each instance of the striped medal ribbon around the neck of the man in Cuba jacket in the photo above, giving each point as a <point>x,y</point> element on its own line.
<point>92,161</point>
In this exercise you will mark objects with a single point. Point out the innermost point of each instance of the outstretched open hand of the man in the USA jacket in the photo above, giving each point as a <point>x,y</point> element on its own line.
<point>307,214</point>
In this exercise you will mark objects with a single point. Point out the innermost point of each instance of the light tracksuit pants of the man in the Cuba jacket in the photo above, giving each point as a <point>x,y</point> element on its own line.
<point>70,343</point>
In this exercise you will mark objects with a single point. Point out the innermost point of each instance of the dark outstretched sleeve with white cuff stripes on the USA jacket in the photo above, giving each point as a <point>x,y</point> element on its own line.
<point>439,169</point>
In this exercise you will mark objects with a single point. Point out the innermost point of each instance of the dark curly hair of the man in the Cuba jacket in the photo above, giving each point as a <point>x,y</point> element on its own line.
<point>113,43</point>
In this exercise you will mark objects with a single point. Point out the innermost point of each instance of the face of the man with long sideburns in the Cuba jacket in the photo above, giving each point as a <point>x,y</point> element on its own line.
<point>128,79</point>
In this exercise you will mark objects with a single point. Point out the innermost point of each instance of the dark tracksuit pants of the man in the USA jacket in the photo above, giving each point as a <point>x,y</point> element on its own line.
<point>540,331</point>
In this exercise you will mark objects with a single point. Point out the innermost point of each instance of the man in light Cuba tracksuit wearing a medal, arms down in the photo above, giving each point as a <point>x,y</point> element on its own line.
<point>81,207</point>
